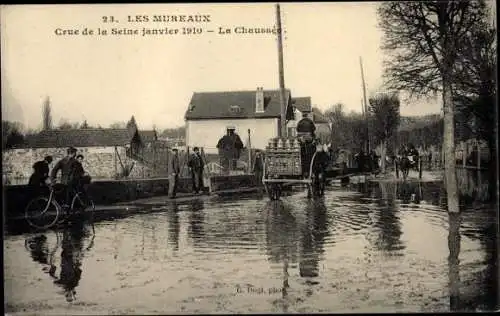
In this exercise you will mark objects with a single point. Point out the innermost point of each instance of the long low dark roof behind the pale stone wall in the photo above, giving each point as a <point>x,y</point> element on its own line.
<point>80,138</point>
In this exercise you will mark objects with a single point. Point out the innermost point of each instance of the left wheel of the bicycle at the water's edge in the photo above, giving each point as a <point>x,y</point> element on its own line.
<point>41,213</point>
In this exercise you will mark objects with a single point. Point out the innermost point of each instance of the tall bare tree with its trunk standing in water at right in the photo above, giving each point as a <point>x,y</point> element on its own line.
<point>425,41</point>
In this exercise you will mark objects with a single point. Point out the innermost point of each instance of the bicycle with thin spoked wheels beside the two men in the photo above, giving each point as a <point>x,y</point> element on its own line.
<point>44,212</point>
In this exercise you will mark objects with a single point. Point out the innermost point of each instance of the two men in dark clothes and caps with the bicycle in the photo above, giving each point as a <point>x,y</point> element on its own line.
<point>73,175</point>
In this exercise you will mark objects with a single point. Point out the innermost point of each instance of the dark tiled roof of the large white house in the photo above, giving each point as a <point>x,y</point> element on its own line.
<point>235,104</point>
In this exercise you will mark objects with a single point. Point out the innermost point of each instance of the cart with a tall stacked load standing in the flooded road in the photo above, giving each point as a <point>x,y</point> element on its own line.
<point>288,161</point>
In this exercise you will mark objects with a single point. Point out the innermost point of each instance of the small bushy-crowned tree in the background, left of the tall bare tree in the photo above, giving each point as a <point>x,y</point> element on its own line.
<point>384,117</point>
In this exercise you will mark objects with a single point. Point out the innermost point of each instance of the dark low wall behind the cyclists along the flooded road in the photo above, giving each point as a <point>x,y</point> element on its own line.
<point>16,197</point>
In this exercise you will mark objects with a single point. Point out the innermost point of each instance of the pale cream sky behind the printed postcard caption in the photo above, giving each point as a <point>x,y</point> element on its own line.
<point>108,78</point>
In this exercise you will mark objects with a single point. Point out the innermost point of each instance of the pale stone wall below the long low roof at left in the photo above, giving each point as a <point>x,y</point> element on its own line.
<point>99,162</point>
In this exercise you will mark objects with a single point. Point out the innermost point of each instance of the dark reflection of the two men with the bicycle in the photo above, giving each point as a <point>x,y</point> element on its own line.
<point>74,240</point>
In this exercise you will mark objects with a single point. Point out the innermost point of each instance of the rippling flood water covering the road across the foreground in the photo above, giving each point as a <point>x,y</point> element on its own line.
<point>378,247</point>
